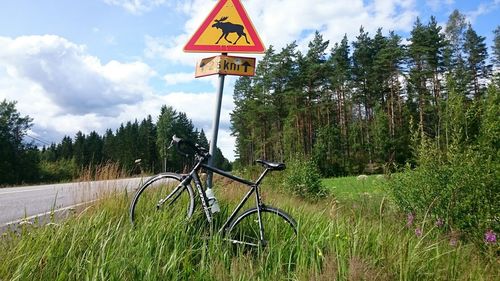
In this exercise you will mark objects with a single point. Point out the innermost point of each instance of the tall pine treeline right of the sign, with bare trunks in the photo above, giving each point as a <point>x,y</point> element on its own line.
<point>358,107</point>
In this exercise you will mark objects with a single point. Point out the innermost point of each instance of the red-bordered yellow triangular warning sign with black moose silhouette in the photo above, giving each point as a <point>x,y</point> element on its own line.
<point>227,29</point>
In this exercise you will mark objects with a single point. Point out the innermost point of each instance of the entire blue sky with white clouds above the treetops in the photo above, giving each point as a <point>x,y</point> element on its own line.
<point>90,65</point>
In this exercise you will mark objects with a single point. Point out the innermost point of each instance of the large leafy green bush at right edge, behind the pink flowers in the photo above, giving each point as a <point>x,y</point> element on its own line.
<point>460,187</point>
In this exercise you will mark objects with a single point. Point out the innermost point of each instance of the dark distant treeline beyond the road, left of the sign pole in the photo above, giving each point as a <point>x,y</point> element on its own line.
<point>146,140</point>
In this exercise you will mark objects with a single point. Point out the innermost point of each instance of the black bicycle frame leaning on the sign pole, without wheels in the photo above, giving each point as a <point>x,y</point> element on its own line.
<point>254,187</point>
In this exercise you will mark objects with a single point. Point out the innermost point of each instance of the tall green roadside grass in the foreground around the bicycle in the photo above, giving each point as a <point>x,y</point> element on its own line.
<point>354,235</point>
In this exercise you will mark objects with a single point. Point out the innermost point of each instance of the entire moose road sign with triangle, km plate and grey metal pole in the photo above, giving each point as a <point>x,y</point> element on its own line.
<point>227,29</point>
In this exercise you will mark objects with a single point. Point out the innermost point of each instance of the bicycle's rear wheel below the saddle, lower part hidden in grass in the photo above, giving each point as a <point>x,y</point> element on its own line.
<point>279,227</point>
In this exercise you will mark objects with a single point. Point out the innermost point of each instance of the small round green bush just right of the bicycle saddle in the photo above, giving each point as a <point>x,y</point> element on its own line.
<point>302,178</point>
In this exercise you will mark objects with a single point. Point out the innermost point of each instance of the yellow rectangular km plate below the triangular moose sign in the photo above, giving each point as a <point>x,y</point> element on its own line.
<point>229,65</point>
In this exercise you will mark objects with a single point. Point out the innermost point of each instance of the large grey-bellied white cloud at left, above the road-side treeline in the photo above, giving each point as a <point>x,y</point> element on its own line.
<point>63,87</point>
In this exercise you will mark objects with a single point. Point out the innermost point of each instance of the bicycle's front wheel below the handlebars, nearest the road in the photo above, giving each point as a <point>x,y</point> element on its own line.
<point>145,204</point>
